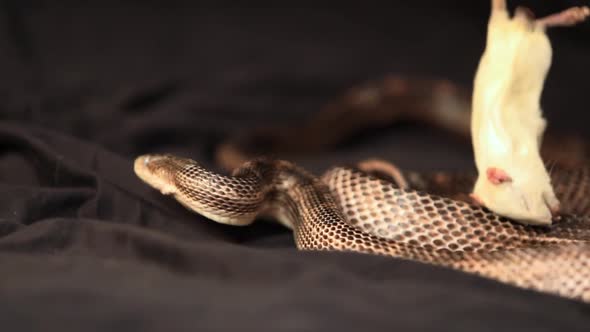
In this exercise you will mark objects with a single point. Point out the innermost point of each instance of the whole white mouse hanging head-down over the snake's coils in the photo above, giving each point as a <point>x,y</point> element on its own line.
<point>507,124</point>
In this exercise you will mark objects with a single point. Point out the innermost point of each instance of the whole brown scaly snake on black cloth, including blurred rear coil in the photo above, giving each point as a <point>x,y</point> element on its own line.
<point>376,208</point>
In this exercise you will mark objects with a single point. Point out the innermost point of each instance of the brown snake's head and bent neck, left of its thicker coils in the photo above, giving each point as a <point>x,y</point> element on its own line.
<point>262,187</point>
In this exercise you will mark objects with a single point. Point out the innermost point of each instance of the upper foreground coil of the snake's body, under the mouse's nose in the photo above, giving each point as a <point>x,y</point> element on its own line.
<point>409,216</point>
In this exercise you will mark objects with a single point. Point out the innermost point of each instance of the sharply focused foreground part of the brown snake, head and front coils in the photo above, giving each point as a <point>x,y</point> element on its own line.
<point>348,210</point>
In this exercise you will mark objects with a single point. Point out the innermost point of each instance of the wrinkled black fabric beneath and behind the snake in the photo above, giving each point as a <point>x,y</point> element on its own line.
<point>85,246</point>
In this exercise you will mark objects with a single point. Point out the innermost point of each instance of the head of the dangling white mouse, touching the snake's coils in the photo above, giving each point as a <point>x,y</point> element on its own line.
<point>524,195</point>
